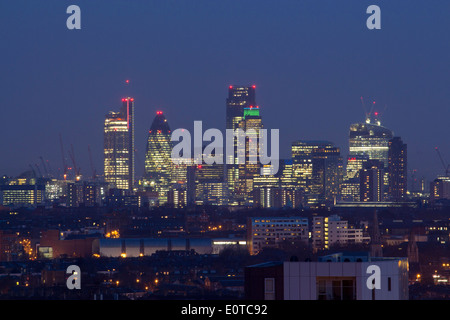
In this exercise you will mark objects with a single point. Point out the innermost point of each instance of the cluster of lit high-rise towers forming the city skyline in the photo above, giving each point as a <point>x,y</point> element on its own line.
<point>376,168</point>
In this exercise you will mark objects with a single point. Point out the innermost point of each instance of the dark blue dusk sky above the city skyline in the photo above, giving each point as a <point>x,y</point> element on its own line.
<point>310,60</point>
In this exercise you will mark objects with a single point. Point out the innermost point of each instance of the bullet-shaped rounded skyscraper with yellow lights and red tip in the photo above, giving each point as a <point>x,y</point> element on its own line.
<point>158,163</point>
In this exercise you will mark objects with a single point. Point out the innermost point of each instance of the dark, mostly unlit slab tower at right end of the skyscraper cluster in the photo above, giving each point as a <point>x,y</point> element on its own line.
<point>397,169</point>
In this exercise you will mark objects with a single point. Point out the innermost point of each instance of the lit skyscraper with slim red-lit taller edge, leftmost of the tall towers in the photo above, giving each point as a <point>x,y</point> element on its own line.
<point>119,146</point>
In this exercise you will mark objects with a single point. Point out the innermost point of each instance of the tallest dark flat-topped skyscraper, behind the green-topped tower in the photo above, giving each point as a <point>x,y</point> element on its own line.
<point>239,98</point>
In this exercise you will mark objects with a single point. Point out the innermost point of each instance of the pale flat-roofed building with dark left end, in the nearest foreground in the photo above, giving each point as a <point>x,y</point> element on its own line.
<point>328,280</point>
